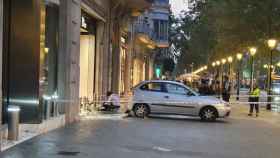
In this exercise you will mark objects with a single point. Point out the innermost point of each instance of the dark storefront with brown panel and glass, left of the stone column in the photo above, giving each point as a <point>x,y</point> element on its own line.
<point>29,56</point>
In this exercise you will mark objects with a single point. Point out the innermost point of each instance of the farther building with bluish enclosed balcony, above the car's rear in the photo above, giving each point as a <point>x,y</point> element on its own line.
<point>154,26</point>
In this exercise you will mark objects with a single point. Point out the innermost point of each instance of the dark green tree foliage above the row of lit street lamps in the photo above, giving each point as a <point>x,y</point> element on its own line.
<point>219,28</point>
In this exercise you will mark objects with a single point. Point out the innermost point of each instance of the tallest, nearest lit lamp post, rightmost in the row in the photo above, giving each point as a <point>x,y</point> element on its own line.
<point>271,44</point>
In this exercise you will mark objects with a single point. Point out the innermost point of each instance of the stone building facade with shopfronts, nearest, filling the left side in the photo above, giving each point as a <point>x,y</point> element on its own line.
<point>59,51</point>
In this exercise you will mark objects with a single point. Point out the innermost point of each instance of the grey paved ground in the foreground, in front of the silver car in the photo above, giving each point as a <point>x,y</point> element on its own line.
<point>155,138</point>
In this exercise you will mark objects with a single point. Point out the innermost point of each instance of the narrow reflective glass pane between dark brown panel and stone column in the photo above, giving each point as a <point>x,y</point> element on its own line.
<point>49,50</point>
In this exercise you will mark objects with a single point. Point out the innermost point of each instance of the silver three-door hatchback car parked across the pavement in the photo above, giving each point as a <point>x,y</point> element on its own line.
<point>168,97</point>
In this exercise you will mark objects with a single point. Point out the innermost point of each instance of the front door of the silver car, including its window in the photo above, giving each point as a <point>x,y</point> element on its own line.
<point>180,99</point>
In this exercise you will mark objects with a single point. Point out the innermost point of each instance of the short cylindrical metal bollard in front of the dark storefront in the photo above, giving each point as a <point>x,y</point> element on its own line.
<point>13,122</point>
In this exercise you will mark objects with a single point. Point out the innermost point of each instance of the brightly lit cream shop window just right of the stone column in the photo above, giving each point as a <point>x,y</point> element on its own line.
<point>88,60</point>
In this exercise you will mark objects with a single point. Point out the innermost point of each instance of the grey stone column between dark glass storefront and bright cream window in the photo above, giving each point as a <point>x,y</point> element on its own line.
<point>69,55</point>
